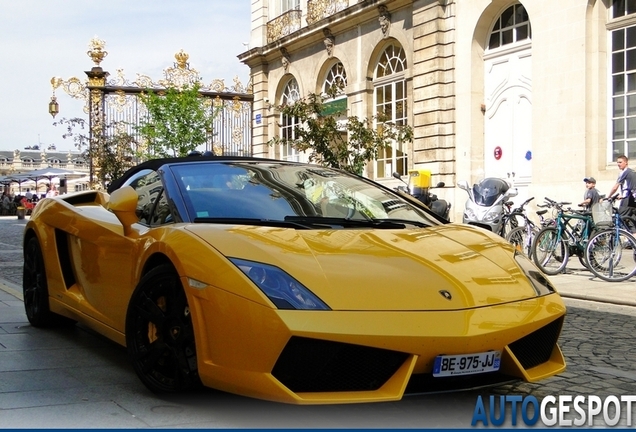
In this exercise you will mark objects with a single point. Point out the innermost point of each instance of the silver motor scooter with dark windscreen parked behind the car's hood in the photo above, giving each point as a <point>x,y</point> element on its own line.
<point>486,203</point>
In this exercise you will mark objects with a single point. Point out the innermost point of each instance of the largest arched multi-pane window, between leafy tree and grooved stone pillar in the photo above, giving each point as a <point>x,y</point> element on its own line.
<point>390,102</point>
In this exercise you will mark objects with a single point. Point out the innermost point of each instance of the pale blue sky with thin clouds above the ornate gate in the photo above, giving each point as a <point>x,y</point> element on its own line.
<point>40,39</point>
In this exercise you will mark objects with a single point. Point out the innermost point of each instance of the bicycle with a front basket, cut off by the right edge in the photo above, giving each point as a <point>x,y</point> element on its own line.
<point>611,252</point>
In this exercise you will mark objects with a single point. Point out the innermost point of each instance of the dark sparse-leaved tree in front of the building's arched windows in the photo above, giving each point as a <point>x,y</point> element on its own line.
<point>335,141</point>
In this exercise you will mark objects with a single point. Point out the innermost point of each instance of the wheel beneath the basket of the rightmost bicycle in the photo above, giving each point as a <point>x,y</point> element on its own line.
<point>610,255</point>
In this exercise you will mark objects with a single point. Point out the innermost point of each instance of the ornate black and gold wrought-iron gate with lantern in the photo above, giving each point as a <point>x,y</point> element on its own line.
<point>115,100</point>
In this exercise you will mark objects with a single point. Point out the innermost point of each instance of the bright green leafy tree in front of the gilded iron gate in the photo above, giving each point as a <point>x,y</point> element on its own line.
<point>178,121</point>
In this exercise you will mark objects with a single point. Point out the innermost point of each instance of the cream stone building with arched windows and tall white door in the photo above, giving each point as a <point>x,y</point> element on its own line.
<point>542,93</point>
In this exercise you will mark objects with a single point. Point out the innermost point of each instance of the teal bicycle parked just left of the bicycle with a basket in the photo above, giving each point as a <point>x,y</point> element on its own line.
<point>553,245</point>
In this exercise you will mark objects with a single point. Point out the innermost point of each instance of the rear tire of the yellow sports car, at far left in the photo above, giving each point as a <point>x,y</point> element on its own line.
<point>35,290</point>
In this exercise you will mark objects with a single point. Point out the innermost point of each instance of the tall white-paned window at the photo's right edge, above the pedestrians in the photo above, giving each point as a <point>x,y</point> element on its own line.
<point>623,83</point>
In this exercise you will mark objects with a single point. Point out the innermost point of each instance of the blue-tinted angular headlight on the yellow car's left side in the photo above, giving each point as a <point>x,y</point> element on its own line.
<point>282,289</point>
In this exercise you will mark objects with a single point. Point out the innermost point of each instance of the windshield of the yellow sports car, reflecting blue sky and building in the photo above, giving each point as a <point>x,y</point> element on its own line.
<point>288,192</point>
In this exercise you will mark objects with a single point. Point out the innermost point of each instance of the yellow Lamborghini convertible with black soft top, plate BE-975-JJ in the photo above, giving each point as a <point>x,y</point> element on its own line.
<point>288,282</point>
